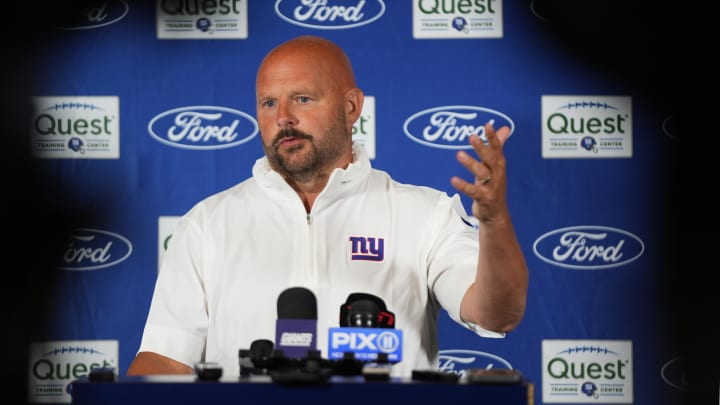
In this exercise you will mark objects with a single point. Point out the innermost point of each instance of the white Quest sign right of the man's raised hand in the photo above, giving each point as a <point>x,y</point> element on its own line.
<point>586,127</point>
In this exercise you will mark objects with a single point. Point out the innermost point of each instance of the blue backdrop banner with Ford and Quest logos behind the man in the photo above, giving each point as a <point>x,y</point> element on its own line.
<point>142,108</point>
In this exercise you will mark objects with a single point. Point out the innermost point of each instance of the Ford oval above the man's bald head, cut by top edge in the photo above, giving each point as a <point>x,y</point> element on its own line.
<point>329,14</point>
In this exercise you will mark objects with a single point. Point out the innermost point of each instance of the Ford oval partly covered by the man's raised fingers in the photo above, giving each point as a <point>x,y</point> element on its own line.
<point>449,127</point>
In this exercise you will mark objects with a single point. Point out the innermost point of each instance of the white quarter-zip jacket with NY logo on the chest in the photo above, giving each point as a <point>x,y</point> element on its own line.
<point>234,252</point>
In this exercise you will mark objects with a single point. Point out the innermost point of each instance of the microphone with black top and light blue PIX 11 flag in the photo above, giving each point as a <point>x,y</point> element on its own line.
<point>367,331</point>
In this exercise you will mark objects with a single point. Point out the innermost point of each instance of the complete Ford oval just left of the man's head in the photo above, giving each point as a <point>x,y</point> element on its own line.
<point>203,127</point>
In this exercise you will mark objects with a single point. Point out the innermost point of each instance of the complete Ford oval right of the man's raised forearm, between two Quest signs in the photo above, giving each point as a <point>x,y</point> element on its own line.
<point>588,247</point>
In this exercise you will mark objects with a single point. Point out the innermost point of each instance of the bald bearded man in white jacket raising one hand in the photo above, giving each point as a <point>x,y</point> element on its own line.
<point>290,225</point>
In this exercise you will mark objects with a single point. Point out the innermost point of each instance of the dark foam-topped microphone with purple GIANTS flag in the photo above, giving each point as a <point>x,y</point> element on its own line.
<point>296,325</point>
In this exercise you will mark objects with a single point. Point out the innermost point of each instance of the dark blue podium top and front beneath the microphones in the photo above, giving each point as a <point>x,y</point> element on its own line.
<point>187,389</point>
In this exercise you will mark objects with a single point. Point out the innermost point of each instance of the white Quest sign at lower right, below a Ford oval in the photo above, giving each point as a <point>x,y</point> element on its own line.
<point>587,371</point>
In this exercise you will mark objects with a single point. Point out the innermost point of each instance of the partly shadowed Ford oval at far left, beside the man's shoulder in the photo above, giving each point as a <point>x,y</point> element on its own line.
<point>92,249</point>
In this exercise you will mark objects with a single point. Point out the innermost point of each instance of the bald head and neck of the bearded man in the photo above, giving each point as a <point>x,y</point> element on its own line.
<point>307,102</point>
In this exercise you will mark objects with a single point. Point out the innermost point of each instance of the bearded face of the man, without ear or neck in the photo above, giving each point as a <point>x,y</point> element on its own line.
<point>300,115</point>
